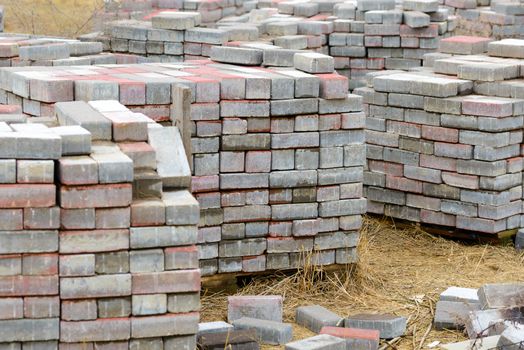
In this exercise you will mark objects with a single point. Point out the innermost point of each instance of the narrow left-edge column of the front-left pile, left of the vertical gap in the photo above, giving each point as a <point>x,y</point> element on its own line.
<point>30,219</point>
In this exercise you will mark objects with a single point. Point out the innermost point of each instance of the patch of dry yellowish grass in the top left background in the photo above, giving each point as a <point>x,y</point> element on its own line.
<point>68,18</point>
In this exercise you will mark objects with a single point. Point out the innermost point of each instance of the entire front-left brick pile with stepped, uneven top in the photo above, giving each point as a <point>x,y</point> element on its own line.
<point>94,253</point>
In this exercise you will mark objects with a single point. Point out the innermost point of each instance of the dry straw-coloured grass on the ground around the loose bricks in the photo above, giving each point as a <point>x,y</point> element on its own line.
<point>401,271</point>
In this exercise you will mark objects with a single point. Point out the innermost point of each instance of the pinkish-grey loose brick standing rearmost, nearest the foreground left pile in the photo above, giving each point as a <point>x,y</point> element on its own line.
<point>268,307</point>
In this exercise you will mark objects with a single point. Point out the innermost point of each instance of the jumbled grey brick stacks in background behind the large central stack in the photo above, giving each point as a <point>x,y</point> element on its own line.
<point>363,36</point>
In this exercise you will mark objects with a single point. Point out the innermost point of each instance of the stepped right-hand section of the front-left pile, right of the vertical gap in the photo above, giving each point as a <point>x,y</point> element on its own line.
<point>133,276</point>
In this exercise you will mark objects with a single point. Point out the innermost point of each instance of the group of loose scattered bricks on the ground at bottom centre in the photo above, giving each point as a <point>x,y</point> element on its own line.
<point>255,320</point>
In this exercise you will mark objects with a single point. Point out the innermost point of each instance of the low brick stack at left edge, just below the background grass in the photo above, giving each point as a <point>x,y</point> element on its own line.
<point>23,50</point>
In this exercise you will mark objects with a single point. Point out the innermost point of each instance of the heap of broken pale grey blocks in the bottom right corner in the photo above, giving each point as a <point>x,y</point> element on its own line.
<point>493,314</point>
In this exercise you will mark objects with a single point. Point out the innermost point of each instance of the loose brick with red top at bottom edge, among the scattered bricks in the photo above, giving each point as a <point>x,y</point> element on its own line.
<point>356,339</point>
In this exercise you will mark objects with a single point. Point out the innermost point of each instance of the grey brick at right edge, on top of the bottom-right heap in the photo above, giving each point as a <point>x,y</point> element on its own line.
<point>500,295</point>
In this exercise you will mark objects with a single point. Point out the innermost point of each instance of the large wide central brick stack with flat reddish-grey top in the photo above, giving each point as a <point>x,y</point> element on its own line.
<point>280,146</point>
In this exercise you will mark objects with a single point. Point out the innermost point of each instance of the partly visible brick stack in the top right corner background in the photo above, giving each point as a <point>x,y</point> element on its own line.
<point>500,19</point>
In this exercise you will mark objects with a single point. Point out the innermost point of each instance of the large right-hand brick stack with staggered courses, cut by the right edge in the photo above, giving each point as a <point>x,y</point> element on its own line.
<point>444,144</point>
